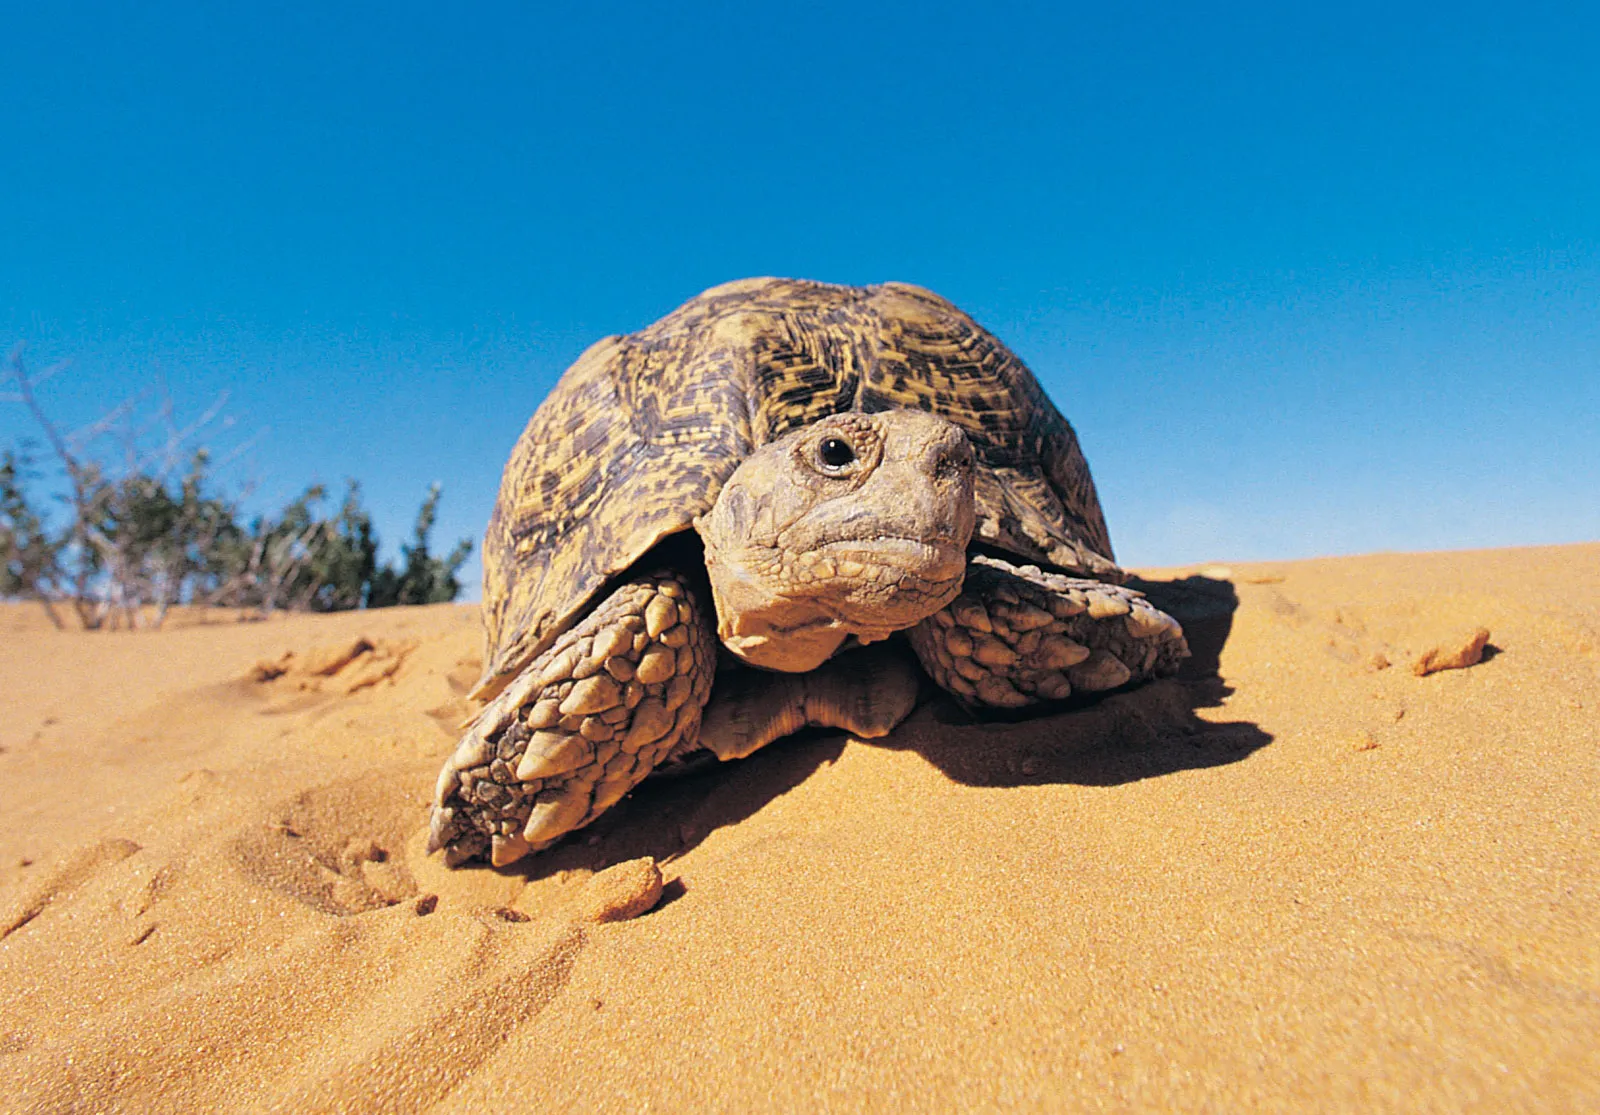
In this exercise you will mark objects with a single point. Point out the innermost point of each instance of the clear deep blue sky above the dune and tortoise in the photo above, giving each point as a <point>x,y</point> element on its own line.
<point>1306,279</point>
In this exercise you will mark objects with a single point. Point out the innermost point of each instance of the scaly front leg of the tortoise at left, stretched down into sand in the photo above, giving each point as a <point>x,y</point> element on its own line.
<point>582,725</point>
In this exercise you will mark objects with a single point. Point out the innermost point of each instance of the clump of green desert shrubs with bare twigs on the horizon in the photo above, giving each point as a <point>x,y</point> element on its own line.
<point>138,537</point>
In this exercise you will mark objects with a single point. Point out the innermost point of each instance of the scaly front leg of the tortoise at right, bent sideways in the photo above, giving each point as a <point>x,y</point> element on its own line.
<point>1018,636</point>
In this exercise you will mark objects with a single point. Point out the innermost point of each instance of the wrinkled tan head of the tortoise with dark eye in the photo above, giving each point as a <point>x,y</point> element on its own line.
<point>852,527</point>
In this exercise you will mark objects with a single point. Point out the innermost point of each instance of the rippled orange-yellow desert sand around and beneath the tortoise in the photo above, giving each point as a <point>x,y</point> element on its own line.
<point>1302,876</point>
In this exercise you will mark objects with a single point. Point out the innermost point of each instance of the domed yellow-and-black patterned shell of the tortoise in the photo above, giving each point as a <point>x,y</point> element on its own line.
<point>639,436</point>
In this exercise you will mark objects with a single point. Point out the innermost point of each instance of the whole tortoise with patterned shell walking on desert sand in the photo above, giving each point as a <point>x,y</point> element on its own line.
<point>711,529</point>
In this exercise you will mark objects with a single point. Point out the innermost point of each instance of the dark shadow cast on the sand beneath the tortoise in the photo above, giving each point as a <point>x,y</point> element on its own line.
<point>1127,737</point>
